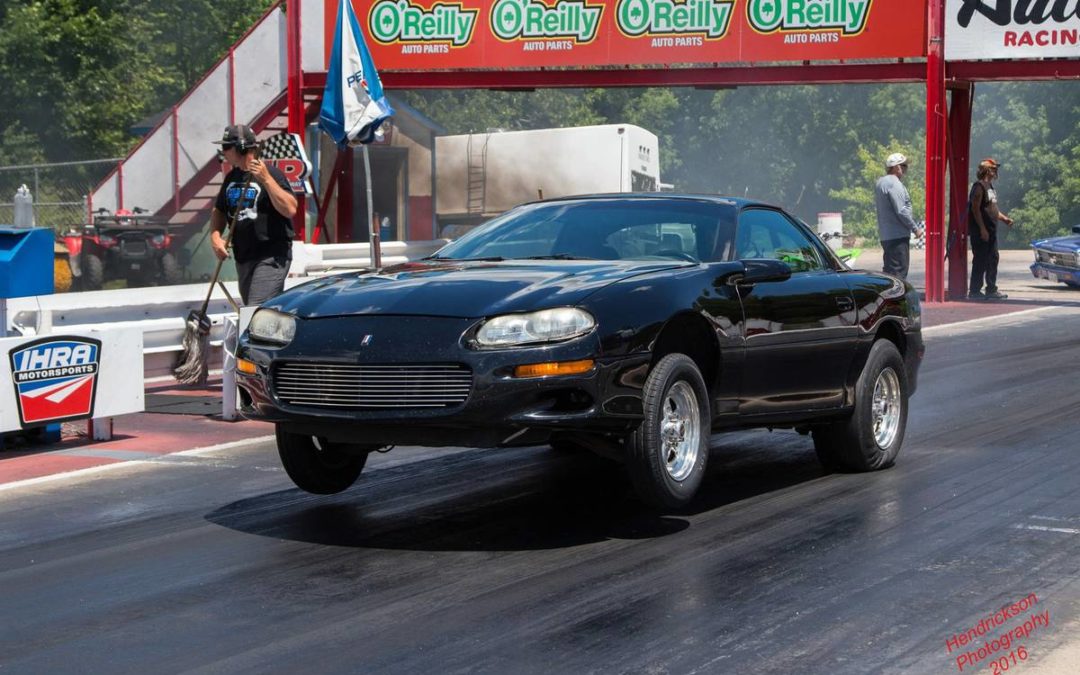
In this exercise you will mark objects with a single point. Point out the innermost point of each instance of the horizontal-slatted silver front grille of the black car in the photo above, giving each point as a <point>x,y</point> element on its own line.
<point>359,387</point>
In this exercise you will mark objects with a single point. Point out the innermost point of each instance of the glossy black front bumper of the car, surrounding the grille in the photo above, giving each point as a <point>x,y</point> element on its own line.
<point>499,410</point>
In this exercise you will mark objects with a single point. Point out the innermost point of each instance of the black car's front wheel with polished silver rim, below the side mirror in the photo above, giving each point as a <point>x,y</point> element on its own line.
<point>667,455</point>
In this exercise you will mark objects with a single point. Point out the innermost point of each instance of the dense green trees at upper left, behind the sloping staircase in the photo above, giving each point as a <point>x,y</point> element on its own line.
<point>78,74</point>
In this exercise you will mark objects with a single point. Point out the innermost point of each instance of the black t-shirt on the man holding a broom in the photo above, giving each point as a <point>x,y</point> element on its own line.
<point>262,233</point>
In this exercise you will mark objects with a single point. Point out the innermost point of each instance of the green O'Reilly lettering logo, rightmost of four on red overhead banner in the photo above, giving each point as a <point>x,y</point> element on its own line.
<point>771,16</point>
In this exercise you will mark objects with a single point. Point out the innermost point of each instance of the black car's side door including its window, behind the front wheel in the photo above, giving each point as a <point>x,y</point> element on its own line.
<point>800,334</point>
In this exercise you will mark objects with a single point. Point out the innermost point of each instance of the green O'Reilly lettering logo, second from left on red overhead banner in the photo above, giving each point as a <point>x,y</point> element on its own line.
<point>528,19</point>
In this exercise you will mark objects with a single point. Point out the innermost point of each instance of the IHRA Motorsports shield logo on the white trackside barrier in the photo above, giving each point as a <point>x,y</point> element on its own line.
<point>56,379</point>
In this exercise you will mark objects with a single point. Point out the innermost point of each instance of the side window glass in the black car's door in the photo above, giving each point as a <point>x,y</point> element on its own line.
<point>764,234</point>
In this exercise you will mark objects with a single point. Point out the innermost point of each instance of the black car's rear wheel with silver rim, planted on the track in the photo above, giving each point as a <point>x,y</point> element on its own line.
<point>871,439</point>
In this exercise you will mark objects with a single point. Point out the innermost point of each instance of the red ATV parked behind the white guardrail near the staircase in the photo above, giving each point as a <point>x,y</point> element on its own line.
<point>128,245</point>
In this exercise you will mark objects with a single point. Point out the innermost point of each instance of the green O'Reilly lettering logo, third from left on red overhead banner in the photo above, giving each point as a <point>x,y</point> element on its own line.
<point>709,18</point>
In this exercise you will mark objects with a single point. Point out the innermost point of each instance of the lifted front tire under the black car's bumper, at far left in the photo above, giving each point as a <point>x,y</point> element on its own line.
<point>319,467</point>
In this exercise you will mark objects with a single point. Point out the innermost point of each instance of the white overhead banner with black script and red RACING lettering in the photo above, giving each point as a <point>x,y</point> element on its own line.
<point>989,30</point>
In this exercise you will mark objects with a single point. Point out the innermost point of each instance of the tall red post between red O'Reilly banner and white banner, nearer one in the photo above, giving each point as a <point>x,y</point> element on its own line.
<point>936,153</point>
